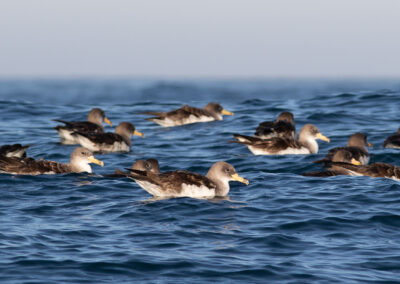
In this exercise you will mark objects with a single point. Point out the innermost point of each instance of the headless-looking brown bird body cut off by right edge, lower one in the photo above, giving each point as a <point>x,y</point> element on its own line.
<point>373,170</point>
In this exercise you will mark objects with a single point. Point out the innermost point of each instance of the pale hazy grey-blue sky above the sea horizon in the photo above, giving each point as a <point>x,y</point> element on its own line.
<point>199,39</point>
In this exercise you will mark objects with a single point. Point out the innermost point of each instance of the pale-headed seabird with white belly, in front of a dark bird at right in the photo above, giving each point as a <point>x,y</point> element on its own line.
<point>306,143</point>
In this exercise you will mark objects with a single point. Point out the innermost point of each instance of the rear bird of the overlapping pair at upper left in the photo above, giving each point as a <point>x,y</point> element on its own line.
<point>93,125</point>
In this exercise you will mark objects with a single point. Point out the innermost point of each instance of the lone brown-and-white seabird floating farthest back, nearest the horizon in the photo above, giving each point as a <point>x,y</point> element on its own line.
<point>187,114</point>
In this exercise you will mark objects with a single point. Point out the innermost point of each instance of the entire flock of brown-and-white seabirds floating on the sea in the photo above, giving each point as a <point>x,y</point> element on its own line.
<point>276,137</point>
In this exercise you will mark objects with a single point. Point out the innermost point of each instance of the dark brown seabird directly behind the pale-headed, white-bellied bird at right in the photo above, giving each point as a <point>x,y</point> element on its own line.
<point>283,126</point>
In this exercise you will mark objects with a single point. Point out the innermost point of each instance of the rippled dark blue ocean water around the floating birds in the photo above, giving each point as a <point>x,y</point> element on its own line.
<point>281,228</point>
